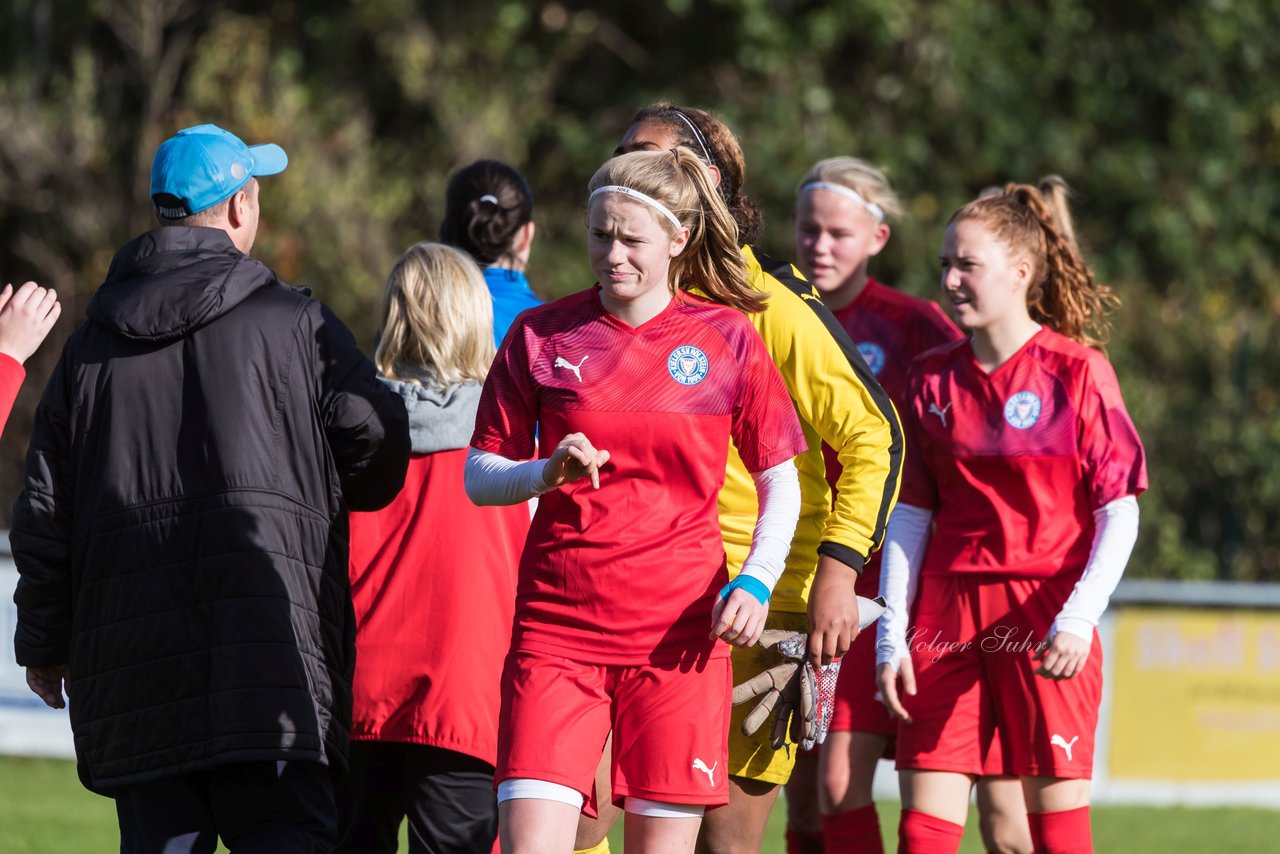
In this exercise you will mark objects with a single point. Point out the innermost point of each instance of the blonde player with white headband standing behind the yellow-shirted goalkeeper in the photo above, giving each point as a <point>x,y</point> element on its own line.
<point>844,208</point>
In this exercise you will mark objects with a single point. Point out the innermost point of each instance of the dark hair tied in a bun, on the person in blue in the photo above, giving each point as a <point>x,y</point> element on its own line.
<point>486,205</point>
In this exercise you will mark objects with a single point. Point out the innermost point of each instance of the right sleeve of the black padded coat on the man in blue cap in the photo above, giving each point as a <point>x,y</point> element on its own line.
<point>365,423</point>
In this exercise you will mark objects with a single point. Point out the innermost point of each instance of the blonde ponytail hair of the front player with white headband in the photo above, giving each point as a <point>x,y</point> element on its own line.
<point>679,180</point>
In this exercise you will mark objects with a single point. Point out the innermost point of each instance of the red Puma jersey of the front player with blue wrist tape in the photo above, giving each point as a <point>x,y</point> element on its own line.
<point>628,574</point>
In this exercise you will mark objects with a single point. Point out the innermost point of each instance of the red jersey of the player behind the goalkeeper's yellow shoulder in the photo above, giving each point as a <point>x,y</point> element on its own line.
<point>890,330</point>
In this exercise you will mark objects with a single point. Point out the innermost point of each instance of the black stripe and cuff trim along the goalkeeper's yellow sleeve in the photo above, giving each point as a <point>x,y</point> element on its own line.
<point>792,278</point>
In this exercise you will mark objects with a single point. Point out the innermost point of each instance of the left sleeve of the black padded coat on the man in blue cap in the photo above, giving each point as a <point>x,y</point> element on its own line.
<point>42,535</point>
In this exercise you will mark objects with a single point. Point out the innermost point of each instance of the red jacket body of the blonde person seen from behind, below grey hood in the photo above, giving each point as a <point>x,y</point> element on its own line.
<point>433,583</point>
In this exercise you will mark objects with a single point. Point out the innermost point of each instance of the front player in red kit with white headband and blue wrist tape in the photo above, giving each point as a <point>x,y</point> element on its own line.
<point>634,390</point>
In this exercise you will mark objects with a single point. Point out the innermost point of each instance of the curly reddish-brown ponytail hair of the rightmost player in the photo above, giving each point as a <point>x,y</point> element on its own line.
<point>1036,222</point>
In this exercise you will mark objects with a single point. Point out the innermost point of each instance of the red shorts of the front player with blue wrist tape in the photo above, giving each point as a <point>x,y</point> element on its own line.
<point>670,727</point>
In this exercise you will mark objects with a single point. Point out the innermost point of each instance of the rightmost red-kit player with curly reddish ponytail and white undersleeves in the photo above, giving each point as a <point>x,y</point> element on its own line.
<point>1028,469</point>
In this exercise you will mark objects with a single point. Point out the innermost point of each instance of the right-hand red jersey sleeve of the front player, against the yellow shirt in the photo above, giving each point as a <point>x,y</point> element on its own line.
<point>765,428</point>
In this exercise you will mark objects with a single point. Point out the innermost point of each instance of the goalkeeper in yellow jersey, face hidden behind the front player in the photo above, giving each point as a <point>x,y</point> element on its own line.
<point>839,404</point>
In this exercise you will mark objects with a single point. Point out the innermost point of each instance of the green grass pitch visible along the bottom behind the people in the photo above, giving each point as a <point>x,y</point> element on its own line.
<point>45,811</point>
